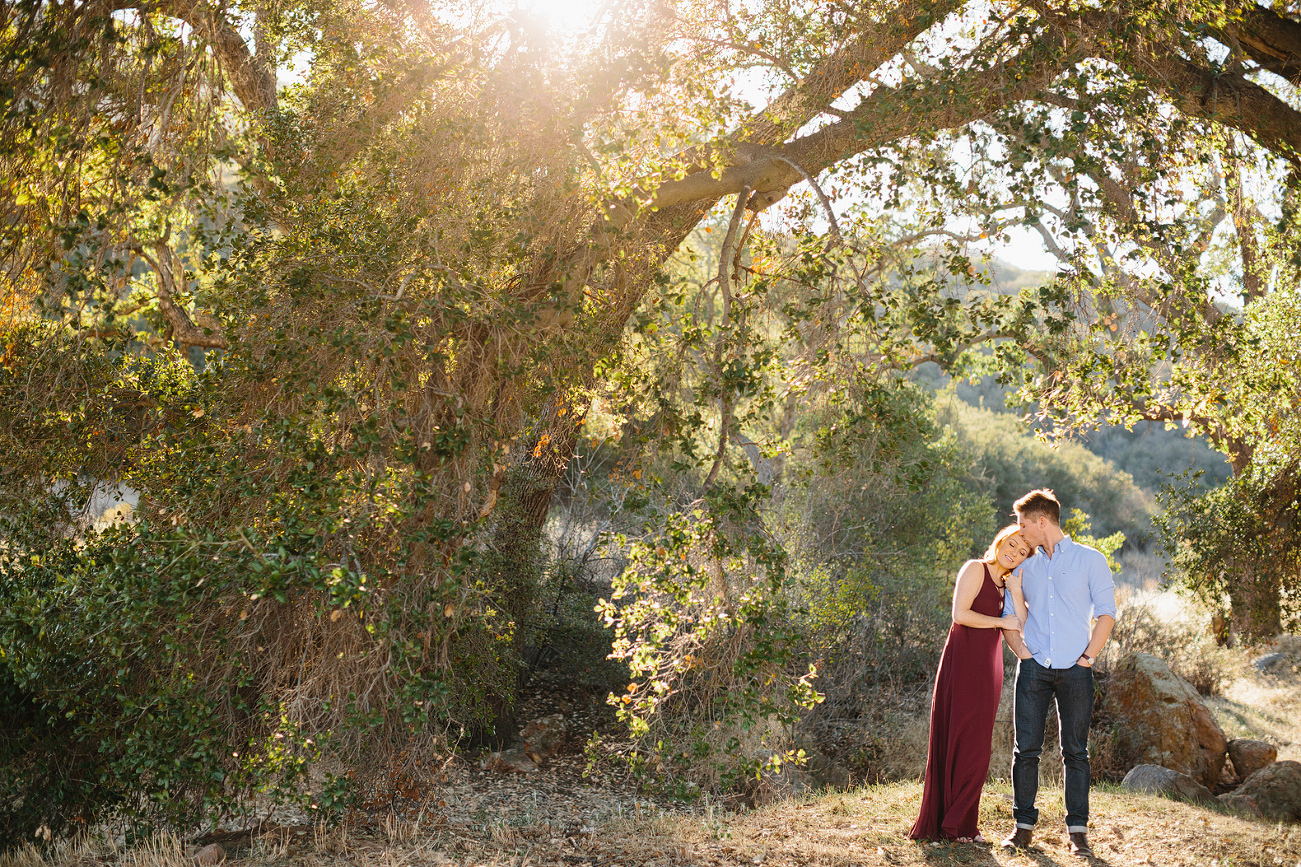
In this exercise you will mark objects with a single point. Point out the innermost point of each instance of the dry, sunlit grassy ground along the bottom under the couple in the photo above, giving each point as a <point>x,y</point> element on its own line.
<point>863,827</point>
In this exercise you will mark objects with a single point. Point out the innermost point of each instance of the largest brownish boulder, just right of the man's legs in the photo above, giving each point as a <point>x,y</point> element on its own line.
<point>1160,719</point>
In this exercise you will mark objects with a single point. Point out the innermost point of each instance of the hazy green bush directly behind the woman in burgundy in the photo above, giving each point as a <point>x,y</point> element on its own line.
<point>883,515</point>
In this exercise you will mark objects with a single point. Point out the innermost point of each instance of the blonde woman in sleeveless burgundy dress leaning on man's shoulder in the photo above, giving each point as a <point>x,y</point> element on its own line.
<point>967,691</point>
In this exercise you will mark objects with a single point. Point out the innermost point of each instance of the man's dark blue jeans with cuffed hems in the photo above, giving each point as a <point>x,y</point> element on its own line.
<point>1036,691</point>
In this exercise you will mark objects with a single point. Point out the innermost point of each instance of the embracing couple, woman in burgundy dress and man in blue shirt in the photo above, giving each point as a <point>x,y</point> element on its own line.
<point>1044,612</point>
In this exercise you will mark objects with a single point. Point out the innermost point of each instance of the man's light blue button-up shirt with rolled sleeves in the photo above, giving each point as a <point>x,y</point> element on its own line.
<point>1064,594</point>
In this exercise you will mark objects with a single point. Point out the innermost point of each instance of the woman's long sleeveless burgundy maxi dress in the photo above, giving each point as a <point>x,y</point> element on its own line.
<point>962,724</point>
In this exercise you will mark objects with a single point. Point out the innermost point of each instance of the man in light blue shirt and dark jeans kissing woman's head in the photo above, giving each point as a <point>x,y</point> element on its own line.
<point>1064,583</point>
